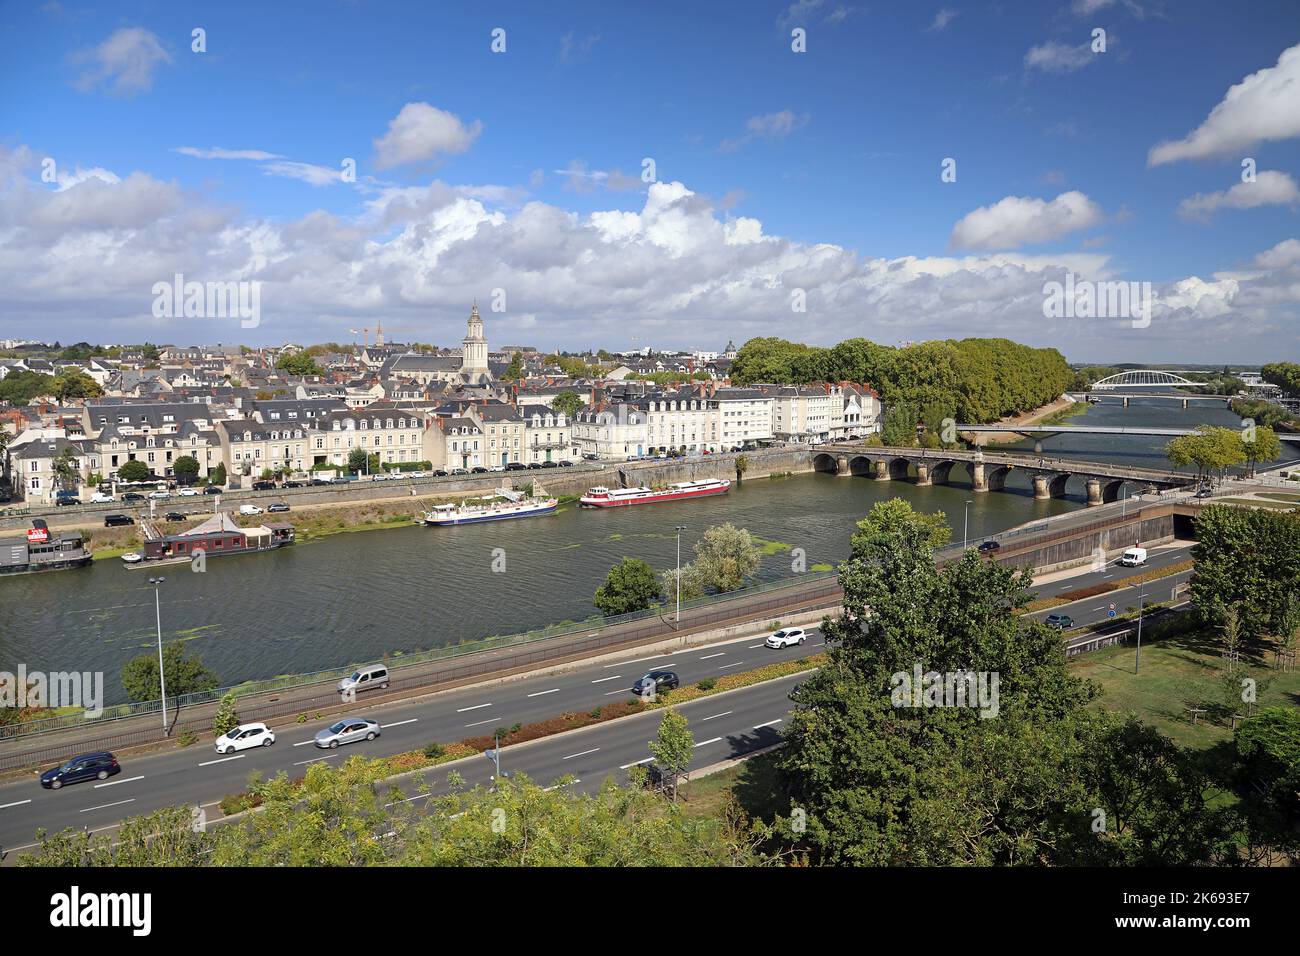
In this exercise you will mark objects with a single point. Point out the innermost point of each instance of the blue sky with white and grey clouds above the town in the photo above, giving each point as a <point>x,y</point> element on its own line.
<point>510,171</point>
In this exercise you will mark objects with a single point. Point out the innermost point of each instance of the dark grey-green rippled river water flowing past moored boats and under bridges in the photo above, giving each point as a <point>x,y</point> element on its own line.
<point>359,596</point>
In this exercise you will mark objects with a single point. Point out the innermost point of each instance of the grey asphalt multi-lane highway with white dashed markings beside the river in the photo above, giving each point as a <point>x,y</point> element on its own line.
<point>726,725</point>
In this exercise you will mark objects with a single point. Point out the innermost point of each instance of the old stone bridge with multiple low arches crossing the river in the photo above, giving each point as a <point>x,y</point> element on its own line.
<point>990,470</point>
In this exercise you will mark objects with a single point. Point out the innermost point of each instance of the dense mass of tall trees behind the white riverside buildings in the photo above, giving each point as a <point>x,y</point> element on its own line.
<point>970,380</point>
